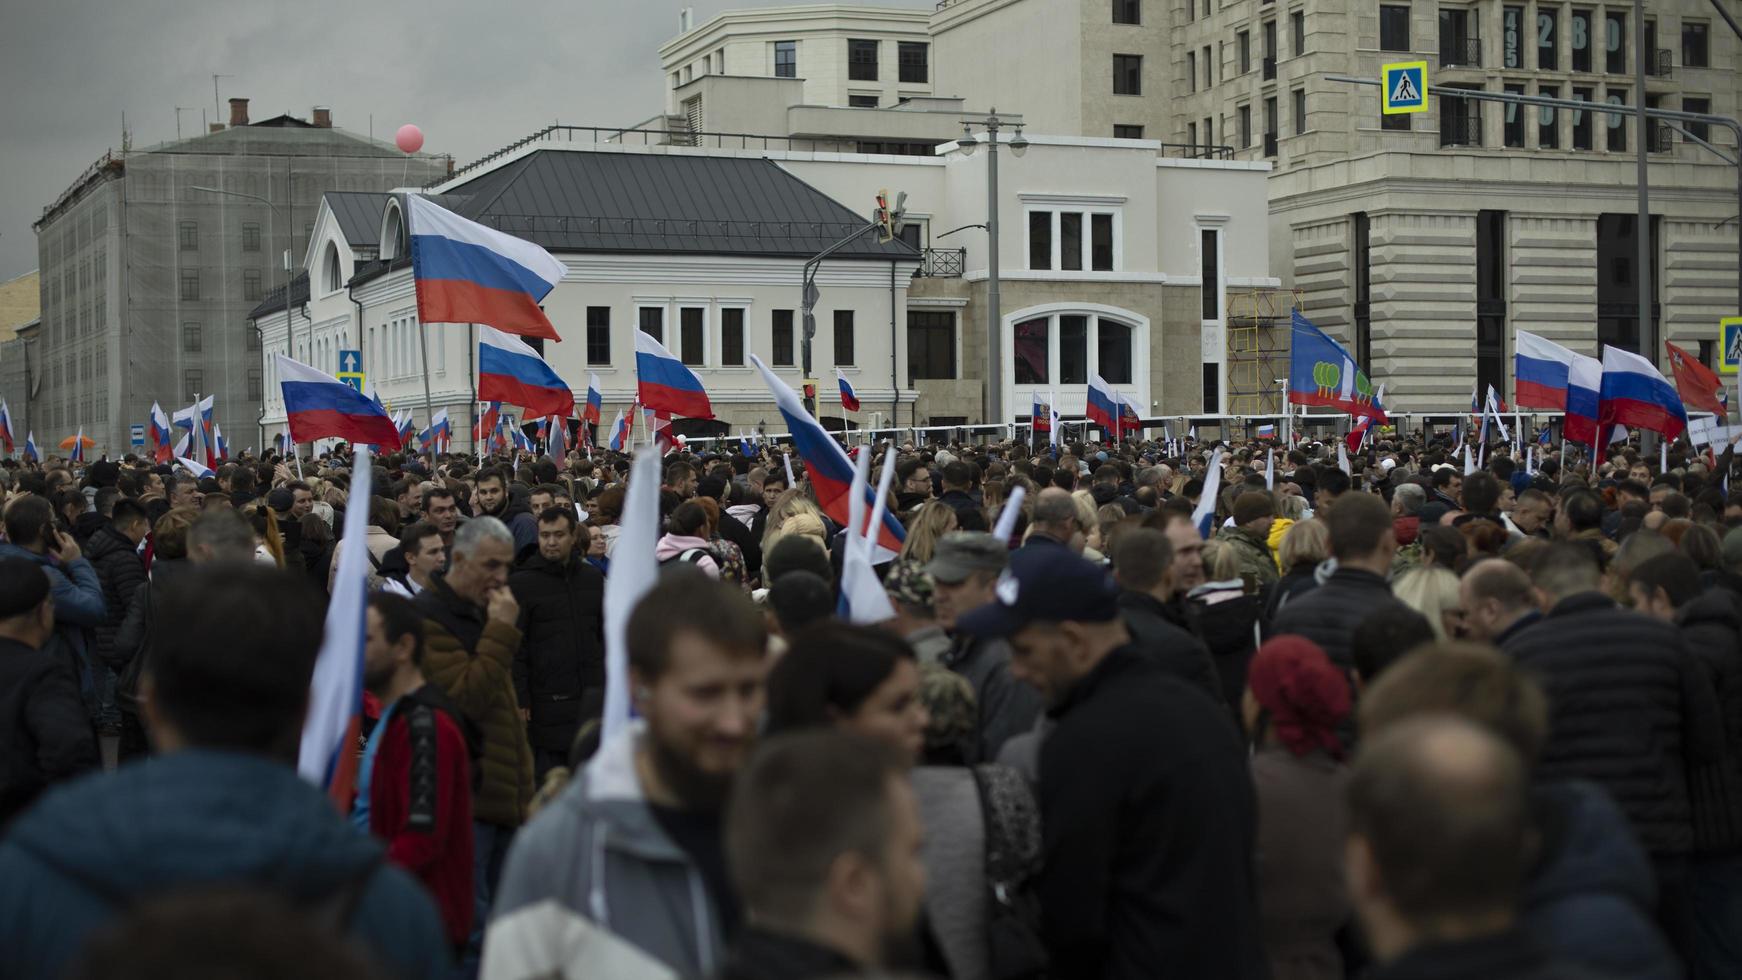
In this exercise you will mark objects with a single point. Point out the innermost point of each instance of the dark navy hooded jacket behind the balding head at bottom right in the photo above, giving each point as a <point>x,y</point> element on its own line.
<point>1591,896</point>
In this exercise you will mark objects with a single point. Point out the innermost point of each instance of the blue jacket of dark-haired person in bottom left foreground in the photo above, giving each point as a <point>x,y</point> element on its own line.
<point>100,845</point>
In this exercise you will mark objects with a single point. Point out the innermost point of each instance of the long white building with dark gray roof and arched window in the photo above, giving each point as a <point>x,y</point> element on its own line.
<point>1105,257</point>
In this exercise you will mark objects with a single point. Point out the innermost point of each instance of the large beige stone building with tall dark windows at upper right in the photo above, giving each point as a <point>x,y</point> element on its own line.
<point>1421,241</point>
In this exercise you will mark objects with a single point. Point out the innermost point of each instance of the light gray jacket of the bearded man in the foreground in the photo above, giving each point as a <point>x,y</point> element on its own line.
<point>600,854</point>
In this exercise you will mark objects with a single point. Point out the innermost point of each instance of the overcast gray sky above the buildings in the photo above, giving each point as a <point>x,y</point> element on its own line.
<point>473,76</point>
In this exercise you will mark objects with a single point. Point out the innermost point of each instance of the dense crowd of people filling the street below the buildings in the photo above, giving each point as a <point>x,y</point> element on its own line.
<point>1400,718</point>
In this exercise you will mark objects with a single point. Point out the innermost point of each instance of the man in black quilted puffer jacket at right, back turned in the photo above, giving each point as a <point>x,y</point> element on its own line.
<point>1628,713</point>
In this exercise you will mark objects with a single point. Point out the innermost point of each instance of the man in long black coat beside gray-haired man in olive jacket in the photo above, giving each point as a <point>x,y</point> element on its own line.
<point>560,666</point>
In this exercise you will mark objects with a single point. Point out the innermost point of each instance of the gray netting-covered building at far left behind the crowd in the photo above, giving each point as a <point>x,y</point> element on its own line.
<point>147,281</point>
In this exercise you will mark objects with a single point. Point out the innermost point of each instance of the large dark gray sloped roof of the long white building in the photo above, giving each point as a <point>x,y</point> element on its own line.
<point>654,203</point>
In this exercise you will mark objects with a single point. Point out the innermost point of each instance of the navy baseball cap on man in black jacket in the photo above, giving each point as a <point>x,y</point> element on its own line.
<point>1048,586</point>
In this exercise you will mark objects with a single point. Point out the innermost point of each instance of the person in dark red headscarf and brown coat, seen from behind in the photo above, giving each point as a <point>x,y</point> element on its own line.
<point>1295,701</point>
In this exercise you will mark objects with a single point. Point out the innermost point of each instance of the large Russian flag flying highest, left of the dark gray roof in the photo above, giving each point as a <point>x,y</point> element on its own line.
<point>469,274</point>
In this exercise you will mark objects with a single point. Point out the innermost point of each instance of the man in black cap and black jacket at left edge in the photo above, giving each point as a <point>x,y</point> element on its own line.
<point>48,735</point>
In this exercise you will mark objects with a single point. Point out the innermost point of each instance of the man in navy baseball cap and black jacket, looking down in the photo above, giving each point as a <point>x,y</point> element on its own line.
<point>1147,807</point>
